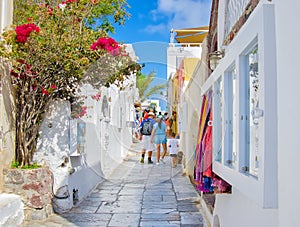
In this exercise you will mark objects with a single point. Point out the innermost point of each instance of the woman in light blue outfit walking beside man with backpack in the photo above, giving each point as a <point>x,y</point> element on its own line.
<point>159,138</point>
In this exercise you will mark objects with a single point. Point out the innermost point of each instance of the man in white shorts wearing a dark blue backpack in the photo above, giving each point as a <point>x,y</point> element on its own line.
<point>145,135</point>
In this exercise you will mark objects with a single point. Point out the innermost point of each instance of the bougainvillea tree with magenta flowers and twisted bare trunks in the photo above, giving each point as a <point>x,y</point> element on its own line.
<point>55,47</point>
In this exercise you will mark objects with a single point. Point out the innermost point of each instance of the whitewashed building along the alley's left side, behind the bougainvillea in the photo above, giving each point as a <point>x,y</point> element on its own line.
<point>83,152</point>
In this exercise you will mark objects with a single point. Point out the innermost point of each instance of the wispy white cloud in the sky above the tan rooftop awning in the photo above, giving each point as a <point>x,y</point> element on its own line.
<point>182,13</point>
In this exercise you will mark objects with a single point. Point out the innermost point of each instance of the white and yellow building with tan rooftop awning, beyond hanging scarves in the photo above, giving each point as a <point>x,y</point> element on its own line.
<point>185,72</point>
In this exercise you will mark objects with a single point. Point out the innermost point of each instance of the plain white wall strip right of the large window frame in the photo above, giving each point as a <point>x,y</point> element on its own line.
<point>288,80</point>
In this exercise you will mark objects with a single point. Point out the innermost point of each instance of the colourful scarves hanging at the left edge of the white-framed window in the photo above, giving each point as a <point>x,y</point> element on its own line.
<point>203,152</point>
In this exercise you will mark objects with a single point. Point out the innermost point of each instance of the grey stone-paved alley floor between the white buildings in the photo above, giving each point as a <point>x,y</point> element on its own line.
<point>137,195</point>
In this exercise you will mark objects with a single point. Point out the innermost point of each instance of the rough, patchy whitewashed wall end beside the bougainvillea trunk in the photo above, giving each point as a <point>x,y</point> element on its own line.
<point>53,150</point>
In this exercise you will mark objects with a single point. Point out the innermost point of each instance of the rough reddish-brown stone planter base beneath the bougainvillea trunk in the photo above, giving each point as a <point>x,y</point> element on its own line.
<point>35,188</point>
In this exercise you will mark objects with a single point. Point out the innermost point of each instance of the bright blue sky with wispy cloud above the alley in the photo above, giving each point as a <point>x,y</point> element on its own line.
<point>148,29</point>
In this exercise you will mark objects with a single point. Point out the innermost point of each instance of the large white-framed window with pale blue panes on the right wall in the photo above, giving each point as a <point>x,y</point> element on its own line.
<point>249,110</point>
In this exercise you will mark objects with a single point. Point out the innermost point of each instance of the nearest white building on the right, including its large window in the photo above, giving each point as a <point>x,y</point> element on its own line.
<point>255,111</point>
